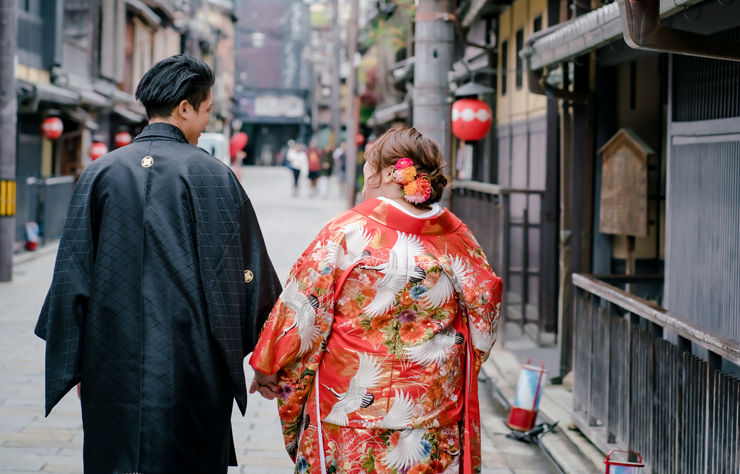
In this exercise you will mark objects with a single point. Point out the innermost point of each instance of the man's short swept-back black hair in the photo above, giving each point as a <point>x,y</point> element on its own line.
<point>172,80</point>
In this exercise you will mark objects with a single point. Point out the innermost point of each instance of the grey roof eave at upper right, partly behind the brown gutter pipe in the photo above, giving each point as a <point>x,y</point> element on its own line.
<point>585,33</point>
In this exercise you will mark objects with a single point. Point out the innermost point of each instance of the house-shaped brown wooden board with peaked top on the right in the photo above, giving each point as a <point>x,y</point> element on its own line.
<point>624,189</point>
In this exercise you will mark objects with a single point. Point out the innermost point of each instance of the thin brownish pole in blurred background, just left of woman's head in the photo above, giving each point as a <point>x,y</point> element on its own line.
<point>353,107</point>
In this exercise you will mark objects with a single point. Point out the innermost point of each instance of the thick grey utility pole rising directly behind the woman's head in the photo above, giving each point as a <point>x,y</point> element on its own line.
<point>433,53</point>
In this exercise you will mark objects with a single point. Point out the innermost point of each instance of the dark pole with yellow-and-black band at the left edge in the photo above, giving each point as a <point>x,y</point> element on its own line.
<point>8,117</point>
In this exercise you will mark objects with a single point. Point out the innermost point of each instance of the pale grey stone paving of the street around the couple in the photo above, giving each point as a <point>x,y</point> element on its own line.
<point>31,443</point>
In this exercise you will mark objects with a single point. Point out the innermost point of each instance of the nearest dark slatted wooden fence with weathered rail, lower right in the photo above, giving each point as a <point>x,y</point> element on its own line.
<point>639,387</point>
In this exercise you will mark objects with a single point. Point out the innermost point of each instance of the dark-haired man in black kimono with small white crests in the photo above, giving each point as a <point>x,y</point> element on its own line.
<point>161,286</point>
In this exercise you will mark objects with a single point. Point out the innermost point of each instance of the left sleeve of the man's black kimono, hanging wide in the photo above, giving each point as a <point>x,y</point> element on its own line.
<point>62,319</point>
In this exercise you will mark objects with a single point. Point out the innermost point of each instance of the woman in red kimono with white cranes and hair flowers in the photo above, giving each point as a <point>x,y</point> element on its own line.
<point>379,335</point>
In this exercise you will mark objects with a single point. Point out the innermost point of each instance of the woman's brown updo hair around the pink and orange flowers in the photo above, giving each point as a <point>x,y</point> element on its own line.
<point>400,143</point>
